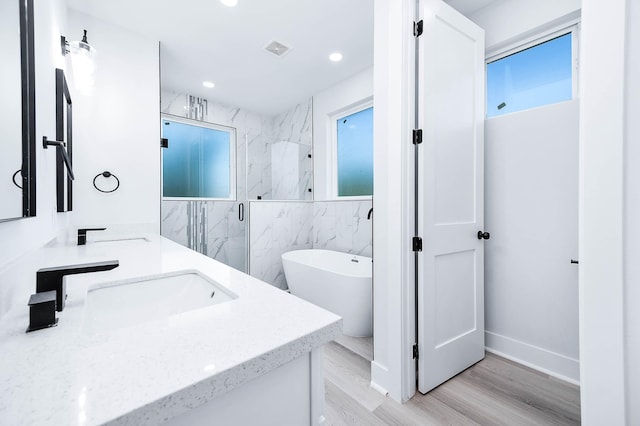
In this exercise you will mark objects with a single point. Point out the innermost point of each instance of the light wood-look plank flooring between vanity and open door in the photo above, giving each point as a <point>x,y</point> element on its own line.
<point>495,391</point>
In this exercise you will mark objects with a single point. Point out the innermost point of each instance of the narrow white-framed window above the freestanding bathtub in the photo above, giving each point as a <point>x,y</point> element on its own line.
<point>354,152</point>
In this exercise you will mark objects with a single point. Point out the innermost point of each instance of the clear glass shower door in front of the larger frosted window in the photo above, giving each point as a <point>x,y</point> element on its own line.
<point>204,189</point>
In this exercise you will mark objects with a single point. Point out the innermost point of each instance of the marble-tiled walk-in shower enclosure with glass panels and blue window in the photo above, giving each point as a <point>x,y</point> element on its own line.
<point>220,158</point>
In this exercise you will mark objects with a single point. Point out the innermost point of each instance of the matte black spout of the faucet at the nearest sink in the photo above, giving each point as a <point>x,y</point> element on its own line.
<point>48,279</point>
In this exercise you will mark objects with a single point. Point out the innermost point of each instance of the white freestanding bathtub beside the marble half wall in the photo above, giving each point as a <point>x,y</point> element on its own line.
<point>339,282</point>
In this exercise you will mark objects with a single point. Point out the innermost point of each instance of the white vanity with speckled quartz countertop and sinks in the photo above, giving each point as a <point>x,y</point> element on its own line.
<point>148,343</point>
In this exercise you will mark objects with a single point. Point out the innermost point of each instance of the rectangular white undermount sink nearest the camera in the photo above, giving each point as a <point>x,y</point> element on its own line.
<point>119,304</point>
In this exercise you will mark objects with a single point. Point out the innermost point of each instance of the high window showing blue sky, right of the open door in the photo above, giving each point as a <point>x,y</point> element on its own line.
<point>538,75</point>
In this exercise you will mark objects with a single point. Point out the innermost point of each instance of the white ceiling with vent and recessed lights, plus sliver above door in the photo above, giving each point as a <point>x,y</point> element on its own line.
<point>204,40</point>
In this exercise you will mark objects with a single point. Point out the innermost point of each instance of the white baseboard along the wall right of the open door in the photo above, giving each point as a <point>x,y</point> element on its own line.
<point>551,363</point>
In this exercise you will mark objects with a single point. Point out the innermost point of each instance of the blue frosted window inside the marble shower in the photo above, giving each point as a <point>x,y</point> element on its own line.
<point>200,160</point>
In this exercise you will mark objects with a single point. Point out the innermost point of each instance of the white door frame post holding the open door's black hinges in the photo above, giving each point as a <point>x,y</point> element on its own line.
<point>393,370</point>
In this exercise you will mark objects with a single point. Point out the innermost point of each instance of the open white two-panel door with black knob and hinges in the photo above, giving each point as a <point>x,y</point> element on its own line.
<point>450,195</point>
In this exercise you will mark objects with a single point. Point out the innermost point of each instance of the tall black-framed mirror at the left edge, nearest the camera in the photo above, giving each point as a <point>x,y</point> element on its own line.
<point>17,162</point>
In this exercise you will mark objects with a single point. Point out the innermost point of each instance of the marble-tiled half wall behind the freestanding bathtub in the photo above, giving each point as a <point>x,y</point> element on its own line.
<point>280,226</point>
